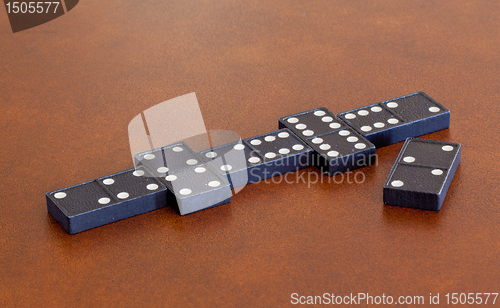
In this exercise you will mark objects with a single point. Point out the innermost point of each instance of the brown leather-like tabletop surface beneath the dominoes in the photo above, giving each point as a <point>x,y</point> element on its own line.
<point>70,87</point>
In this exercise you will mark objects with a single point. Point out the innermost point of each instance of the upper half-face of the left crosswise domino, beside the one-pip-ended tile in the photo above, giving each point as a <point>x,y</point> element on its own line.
<point>168,159</point>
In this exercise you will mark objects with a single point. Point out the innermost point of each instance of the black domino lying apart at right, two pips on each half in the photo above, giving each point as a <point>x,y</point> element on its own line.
<point>422,174</point>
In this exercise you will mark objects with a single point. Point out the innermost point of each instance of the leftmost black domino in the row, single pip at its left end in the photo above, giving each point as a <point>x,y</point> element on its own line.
<point>99,202</point>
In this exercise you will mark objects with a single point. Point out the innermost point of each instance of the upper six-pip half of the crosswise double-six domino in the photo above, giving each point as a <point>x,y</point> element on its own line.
<point>311,123</point>
